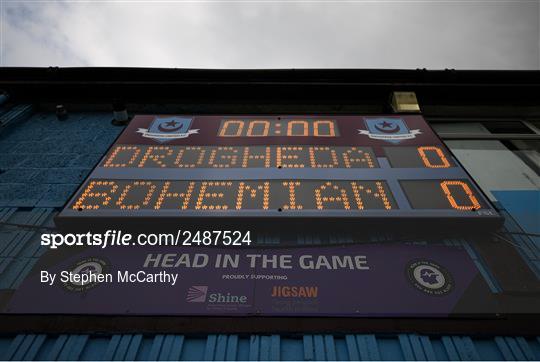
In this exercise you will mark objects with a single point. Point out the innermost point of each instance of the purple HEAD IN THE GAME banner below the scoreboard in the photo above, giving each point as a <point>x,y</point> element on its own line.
<point>369,280</point>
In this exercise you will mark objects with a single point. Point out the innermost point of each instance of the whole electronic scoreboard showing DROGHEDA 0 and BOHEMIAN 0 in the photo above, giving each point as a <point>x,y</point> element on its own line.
<point>192,169</point>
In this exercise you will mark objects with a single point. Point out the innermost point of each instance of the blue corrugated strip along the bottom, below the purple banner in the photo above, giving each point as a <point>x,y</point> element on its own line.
<point>267,347</point>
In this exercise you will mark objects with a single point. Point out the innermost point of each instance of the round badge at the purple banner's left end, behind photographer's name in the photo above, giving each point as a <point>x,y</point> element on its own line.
<point>88,271</point>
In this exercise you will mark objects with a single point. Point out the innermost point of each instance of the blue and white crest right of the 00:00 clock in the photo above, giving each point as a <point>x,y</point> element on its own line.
<point>388,129</point>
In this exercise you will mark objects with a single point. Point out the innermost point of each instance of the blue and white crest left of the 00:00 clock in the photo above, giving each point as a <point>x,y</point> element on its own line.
<point>165,129</point>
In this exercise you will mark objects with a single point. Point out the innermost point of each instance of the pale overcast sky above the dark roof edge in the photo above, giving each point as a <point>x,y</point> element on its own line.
<point>272,34</point>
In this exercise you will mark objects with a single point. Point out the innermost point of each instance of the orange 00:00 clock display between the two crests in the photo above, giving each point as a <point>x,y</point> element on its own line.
<point>278,127</point>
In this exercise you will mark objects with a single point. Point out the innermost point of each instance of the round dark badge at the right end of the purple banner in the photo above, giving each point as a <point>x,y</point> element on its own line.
<point>430,277</point>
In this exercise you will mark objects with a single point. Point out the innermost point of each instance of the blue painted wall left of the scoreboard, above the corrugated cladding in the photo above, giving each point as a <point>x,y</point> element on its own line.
<point>43,160</point>
